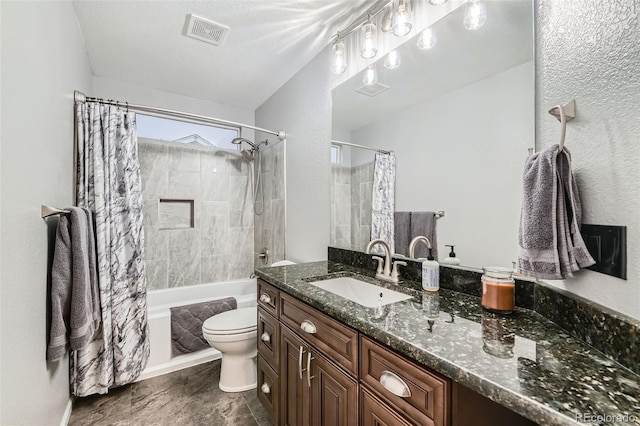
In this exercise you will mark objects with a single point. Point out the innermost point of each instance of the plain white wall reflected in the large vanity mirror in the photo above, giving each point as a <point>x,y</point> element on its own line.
<point>463,152</point>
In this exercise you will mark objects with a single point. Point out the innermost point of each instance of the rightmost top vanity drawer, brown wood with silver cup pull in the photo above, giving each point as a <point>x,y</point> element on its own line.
<point>427,394</point>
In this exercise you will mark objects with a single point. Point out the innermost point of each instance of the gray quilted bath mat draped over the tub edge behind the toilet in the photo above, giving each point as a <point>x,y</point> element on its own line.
<point>187,320</point>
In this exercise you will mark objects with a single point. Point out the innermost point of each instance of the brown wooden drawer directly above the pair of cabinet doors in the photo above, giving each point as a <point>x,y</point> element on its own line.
<point>338,341</point>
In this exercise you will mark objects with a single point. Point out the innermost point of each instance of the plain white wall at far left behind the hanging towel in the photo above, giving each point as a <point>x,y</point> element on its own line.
<point>43,61</point>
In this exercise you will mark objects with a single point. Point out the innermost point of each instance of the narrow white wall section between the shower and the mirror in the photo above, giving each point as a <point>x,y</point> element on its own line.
<point>303,108</point>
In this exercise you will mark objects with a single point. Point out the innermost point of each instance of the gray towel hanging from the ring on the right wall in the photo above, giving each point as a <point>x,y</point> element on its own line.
<point>551,246</point>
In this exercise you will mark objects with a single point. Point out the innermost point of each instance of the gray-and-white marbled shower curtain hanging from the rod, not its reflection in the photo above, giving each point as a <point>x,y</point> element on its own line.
<point>108,183</point>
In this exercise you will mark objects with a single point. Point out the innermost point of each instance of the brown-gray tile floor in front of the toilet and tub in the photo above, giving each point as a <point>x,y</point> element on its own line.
<point>188,397</point>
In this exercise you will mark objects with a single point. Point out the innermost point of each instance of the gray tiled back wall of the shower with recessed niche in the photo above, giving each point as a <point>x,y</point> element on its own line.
<point>216,242</point>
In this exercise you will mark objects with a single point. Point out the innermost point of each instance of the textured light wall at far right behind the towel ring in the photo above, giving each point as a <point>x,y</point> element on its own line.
<point>590,51</point>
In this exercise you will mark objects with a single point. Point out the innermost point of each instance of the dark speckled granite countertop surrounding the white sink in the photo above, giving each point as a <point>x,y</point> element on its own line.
<point>522,361</point>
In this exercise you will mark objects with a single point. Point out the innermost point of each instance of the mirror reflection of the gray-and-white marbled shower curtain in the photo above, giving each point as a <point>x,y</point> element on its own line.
<point>383,198</point>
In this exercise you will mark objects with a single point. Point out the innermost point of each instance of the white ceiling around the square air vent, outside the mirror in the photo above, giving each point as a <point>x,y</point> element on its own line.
<point>269,41</point>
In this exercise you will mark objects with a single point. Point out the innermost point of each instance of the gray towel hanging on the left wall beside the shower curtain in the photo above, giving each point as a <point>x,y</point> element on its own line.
<point>75,303</point>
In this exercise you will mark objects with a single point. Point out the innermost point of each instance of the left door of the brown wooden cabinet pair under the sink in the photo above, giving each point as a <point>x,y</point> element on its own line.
<point>294,395</point>
